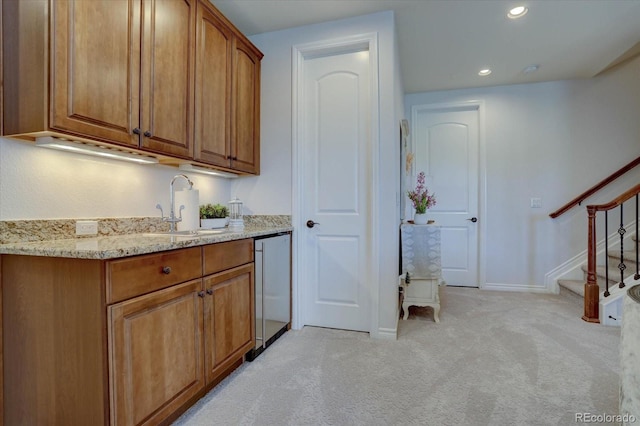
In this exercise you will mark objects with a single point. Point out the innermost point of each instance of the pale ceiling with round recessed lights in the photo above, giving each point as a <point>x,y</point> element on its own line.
<point>444,43</point>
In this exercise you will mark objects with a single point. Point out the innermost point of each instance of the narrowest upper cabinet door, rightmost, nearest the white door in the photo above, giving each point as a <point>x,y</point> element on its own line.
<point>245,137</point>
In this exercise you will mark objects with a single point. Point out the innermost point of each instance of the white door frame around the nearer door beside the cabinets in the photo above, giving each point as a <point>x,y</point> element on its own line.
<point>299,54</point>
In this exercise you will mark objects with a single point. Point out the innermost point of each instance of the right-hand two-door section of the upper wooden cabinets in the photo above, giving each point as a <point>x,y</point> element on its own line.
<point>227,119</point>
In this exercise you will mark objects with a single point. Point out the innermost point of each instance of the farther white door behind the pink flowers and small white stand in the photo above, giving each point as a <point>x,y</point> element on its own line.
<point>446,148</point>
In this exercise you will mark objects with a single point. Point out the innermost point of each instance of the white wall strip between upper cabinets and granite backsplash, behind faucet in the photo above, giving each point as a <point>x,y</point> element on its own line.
<point>38,183</point>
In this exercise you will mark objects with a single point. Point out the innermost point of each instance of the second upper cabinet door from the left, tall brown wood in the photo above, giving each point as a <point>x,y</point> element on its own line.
<point>167,77</point>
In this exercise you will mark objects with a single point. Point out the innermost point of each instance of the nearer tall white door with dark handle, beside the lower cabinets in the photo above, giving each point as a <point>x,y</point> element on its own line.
<point>336,195</point>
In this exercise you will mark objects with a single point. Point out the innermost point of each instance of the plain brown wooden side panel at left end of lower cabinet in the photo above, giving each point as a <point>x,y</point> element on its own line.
<point>54,355</point>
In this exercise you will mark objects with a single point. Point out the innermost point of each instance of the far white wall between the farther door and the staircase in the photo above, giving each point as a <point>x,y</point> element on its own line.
<point>553,141</point>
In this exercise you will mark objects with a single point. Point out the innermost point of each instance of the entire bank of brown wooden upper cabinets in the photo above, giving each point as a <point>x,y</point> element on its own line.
<point>160,76</point>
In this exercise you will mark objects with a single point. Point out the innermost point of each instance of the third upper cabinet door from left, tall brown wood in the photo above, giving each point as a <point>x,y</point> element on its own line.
<point>213,97</point>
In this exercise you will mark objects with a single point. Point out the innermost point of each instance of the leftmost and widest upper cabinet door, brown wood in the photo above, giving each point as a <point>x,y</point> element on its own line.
<point>95,69</point>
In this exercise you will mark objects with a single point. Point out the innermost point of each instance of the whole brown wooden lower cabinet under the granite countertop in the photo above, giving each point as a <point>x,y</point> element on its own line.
<point>75,353</point>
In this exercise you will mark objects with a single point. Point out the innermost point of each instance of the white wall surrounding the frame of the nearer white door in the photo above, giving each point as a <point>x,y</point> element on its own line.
<point>271,191</point>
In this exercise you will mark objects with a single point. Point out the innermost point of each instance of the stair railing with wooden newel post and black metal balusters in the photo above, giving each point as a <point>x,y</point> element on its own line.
<point>591,289</point>
